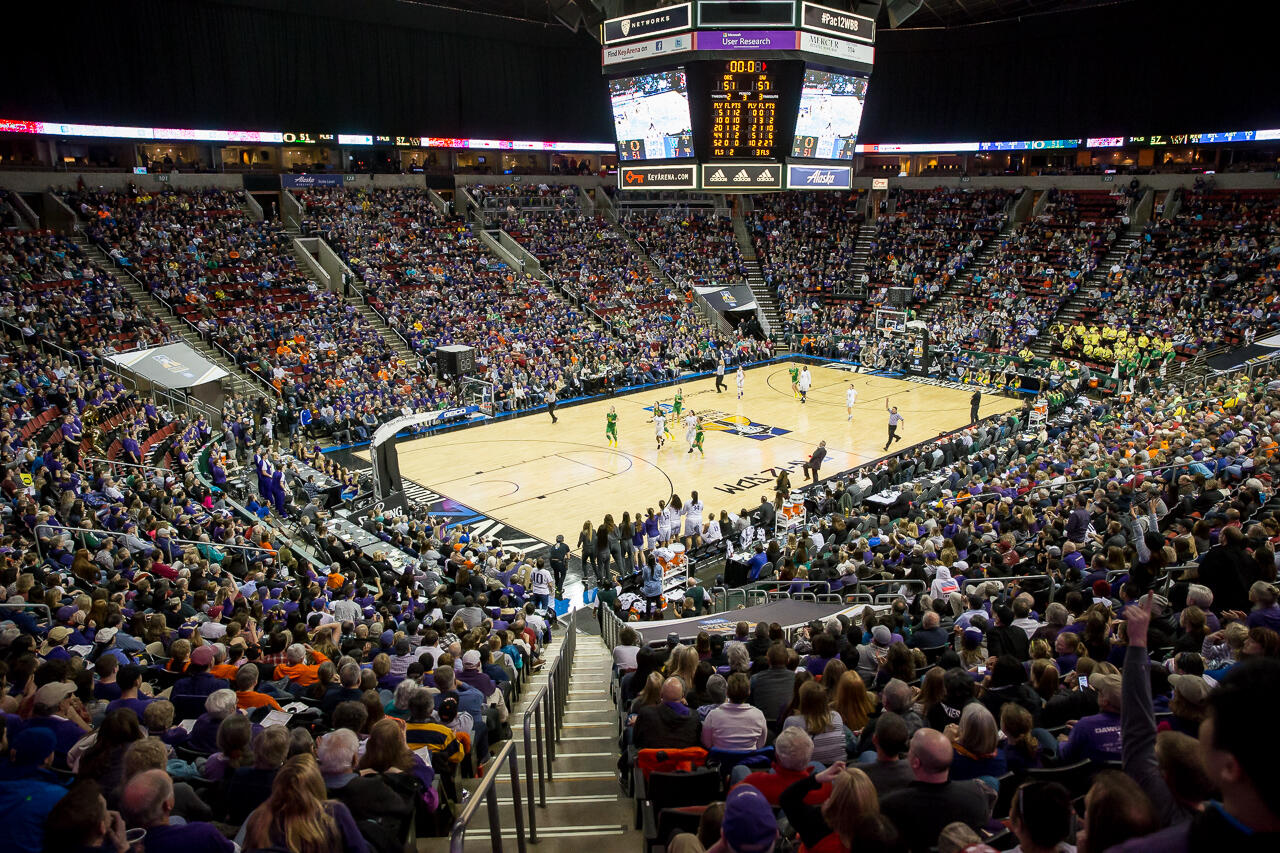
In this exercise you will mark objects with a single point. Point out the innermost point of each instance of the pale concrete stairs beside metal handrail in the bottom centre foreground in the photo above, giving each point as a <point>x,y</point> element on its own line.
<point>586,811</point>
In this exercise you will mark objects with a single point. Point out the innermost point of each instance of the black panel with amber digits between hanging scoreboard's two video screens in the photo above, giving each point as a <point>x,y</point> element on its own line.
<point>744,110</point>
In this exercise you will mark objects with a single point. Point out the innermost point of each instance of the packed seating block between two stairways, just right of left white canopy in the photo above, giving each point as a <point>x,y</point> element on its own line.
<point>237,284</point>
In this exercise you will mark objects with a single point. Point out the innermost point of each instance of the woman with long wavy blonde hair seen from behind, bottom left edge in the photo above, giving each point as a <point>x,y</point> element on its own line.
<point>299,816</point>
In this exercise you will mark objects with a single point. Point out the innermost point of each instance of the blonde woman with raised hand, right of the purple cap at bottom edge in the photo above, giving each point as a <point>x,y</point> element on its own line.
<point>851,813</point>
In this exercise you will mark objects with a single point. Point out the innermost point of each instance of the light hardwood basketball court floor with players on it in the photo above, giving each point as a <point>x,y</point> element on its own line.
<point>547,480</point>
